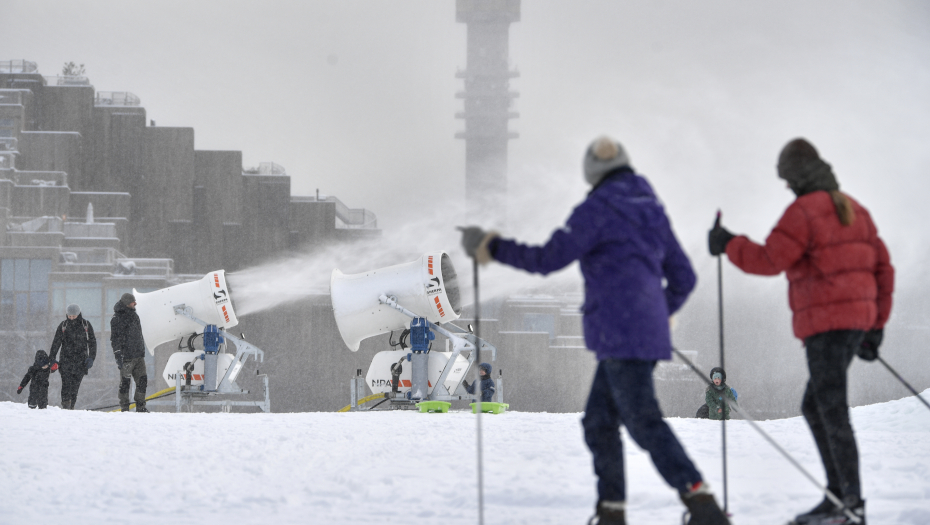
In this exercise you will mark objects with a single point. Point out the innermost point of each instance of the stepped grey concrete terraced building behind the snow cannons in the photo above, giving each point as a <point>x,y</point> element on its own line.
<point>94,202</point>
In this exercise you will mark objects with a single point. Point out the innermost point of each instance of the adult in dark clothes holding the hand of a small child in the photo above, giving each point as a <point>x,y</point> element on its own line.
<point>75,338</point>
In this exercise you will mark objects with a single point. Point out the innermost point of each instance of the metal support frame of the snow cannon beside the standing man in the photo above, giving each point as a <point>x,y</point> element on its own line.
<point>227,385</point>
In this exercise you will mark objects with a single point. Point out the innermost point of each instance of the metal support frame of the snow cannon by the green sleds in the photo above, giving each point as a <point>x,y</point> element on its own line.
<point>462,341</point>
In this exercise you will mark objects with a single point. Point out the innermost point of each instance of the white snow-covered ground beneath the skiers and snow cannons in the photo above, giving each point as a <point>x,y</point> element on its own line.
<point>404,467</point>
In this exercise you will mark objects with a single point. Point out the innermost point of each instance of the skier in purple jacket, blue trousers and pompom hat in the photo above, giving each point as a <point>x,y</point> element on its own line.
<point>636,275</point>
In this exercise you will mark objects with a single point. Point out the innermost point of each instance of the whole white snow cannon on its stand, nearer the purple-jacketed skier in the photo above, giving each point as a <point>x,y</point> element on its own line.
<point>419,299</point>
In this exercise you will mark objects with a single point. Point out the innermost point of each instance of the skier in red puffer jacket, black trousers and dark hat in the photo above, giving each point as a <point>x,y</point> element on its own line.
<point>840,282</point>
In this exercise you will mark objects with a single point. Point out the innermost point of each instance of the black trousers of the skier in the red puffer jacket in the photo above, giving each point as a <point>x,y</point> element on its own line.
<point>826,407</point>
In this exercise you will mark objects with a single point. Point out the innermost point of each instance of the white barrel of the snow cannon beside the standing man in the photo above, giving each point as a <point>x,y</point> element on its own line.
<point>209,300</point>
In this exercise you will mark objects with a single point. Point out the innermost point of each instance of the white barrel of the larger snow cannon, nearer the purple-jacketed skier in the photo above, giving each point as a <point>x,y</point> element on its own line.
<point>427,286</point>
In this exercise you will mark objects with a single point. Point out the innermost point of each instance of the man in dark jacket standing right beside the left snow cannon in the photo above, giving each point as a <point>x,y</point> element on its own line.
<point>129,351</point>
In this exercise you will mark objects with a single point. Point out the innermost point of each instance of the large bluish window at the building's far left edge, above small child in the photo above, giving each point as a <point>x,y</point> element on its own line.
<point>24,294</point>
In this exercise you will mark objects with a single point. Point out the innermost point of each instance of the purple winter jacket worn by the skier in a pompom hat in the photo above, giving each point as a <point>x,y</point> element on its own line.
<point>626,249</point>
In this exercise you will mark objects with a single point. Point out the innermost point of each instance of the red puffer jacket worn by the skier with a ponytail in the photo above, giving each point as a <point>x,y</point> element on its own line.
<point>840,277</point>
